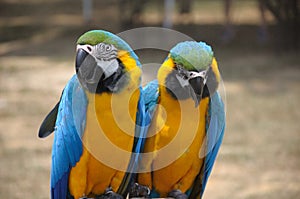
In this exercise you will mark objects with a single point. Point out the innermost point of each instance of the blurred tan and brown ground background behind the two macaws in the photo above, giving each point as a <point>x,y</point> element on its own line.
<point>256,44</point>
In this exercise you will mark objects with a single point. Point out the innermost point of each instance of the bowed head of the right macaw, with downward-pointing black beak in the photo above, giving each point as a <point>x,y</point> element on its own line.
<point>194,72</point>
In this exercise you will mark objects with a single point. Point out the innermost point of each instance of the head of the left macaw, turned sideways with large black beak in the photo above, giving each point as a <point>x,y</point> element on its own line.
<point>98,66</point>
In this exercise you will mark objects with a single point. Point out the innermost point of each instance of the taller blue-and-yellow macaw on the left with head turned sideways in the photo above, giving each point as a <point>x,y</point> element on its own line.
<point>98,122</point>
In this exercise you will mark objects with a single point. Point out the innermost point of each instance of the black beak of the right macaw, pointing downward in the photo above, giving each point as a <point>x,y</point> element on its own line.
<point>196,89</point>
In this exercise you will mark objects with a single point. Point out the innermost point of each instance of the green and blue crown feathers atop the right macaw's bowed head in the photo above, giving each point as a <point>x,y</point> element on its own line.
<point>192,55</point>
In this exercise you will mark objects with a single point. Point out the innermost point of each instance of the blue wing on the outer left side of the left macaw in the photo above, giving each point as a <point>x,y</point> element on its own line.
<point>67,146</point>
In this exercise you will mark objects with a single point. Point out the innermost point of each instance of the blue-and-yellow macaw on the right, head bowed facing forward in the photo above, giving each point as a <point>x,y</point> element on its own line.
<point>187,126</point>
